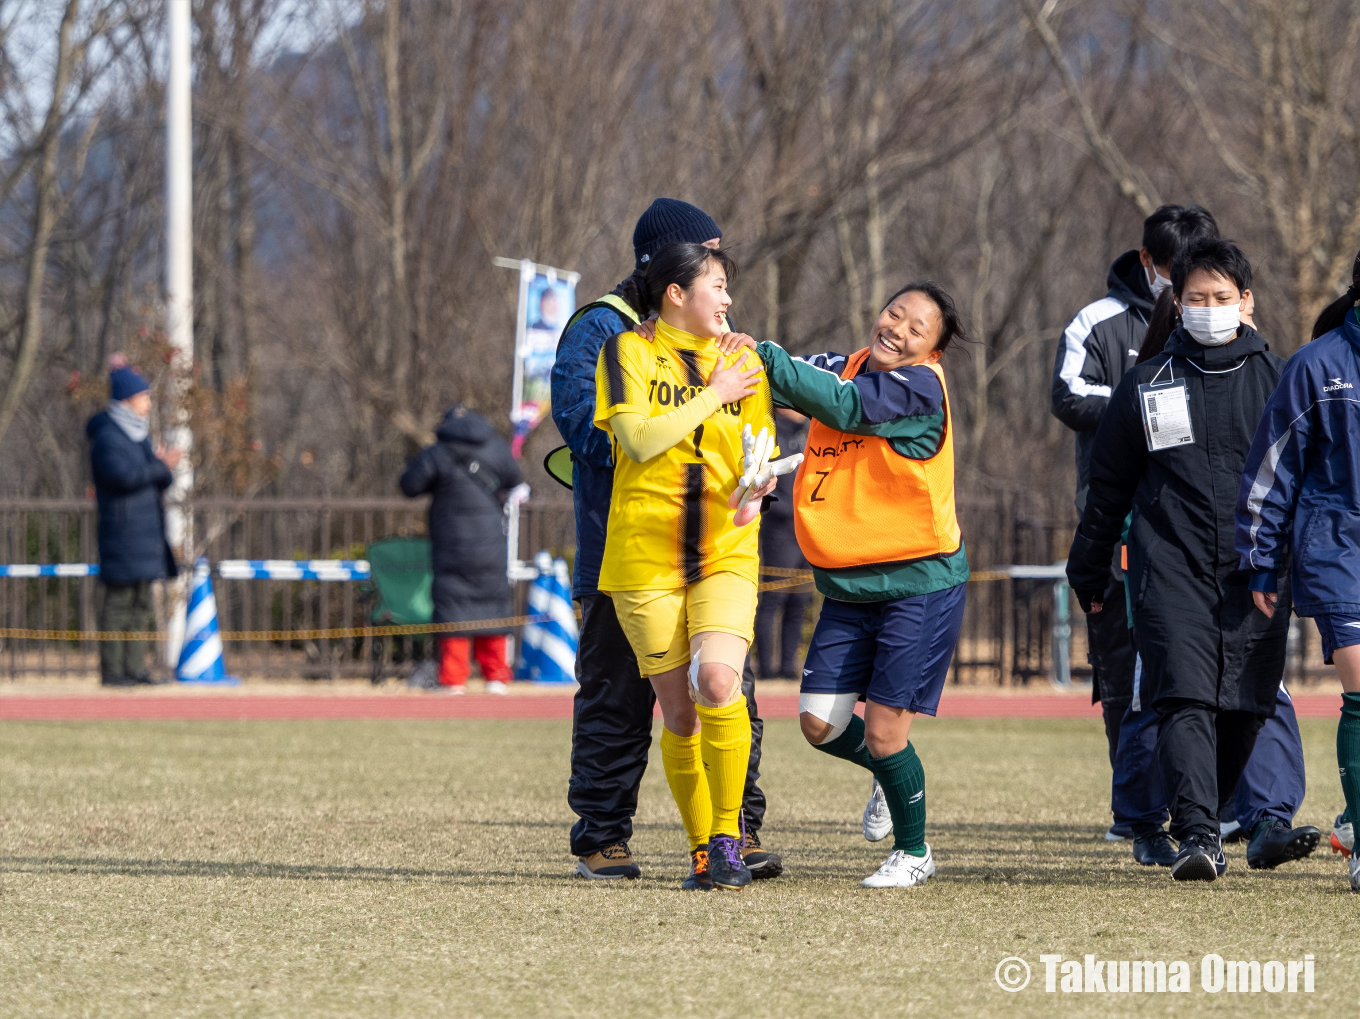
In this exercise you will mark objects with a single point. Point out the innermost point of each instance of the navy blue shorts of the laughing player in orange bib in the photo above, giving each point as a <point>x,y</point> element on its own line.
<point>896,654</point>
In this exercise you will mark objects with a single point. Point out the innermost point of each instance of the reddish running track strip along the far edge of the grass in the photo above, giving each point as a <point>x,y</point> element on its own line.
<point>239,707</point>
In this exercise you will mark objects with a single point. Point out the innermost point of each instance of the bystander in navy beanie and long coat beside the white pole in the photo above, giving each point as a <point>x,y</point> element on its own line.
<point>130,478</point>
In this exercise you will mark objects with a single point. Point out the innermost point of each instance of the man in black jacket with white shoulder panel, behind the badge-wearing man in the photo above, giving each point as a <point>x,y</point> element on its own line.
<point>1095,350</point>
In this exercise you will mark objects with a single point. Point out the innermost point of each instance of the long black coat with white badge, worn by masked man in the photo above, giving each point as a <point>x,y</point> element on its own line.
<point>1196,628</point>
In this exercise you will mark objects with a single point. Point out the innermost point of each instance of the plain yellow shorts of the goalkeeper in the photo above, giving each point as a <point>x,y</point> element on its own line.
<point>660,624</point>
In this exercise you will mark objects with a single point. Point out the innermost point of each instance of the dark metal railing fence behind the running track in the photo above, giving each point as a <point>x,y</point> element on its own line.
<point>1007,636</point>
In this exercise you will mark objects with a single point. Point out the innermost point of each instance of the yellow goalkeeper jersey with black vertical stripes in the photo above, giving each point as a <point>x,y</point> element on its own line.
<point>670,524</point>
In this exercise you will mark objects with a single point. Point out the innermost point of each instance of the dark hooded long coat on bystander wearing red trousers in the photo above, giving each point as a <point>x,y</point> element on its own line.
<point>469,471</point>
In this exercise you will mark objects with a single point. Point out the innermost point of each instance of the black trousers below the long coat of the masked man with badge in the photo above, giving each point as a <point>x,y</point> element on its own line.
<point>1200,752</point>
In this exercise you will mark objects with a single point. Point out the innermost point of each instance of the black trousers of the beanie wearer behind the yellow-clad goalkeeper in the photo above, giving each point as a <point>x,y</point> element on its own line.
<point>611,734</point>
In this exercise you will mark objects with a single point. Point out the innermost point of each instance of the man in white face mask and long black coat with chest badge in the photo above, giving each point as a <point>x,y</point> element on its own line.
<point>1172,450</point>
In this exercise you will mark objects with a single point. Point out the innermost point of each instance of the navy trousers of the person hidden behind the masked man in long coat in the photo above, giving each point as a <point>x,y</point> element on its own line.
<point>1272,784</point>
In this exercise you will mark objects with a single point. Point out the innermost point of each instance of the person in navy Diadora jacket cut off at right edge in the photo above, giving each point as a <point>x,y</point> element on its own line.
<point>1301,500</point>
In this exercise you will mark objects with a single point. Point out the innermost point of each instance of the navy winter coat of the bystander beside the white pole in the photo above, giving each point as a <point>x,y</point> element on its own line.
<point>129,481</point>
